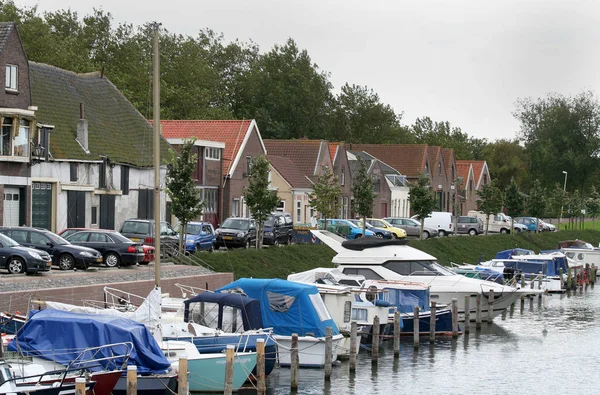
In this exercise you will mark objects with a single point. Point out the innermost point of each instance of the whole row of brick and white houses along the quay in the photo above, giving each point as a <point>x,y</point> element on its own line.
<point>74,152</point>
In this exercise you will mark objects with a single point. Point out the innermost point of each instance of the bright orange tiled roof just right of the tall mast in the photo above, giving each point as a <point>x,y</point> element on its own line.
<point>230,132</point>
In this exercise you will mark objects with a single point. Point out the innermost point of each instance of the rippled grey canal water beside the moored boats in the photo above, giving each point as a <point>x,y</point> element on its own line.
<point>548,350</point>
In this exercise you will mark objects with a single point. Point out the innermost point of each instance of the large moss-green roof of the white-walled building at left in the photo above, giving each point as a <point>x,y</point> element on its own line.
<point>116,128</point>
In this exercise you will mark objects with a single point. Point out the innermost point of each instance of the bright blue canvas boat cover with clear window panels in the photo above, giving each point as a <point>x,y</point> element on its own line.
<point>287,307</point>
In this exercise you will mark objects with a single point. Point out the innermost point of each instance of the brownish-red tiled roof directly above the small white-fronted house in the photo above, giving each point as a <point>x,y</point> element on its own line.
<point>408,159</point>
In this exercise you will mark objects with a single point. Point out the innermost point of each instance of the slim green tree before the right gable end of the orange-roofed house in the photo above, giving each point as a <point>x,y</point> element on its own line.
<point>260,199</point>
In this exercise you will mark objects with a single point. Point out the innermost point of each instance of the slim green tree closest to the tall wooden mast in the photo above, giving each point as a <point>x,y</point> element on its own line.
<point>185,199</point>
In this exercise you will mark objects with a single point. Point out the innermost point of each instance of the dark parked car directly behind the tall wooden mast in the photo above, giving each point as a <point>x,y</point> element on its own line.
<point>142,231</point>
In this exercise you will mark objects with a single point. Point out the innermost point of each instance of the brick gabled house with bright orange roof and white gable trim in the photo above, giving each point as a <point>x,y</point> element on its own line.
<point>242,141</point>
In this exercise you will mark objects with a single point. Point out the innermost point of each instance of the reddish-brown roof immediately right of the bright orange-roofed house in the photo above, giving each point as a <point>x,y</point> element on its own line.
<point>303,153</point>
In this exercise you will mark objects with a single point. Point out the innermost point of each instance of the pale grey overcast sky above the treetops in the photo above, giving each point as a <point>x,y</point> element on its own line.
<point>462,61</point>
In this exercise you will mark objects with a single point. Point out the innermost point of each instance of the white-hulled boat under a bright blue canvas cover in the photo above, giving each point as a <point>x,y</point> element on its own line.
<point>292,308</point>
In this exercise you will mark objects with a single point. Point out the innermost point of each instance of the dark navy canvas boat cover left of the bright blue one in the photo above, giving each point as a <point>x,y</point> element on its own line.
<point>249,307</point>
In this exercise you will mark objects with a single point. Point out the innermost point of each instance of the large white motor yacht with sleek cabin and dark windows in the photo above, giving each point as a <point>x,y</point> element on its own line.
<point>380,259</point>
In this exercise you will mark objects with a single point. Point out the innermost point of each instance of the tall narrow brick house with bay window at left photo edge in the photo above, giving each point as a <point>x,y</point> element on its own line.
<point>17,124</point>
